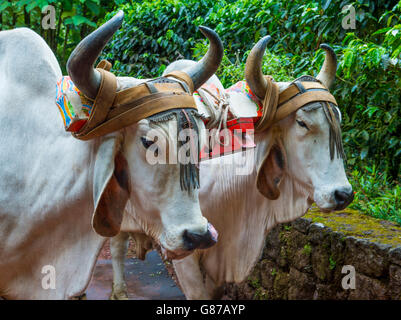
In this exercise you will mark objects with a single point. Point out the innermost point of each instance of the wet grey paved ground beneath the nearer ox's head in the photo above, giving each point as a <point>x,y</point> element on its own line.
<point>147,279</point>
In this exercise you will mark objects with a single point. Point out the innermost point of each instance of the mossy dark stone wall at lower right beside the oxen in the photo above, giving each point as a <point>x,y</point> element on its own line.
<point>304,260</point>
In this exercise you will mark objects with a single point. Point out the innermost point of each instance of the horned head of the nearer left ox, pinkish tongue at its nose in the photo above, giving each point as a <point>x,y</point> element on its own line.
<point>167,212</point>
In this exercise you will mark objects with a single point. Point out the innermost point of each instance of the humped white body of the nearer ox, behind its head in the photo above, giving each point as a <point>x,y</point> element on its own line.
<point>45,193</point>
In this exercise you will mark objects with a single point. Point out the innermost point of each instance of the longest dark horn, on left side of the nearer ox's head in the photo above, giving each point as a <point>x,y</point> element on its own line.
<point>81,61</point>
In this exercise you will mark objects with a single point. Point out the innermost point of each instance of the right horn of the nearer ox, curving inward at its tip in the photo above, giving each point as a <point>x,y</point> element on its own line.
<point>208,65</point>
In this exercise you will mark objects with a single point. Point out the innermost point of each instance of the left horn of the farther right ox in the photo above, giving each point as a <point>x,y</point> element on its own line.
<point>253,68</point>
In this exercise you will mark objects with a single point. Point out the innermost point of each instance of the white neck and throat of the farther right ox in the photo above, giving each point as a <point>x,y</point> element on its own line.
<point>242,215</point>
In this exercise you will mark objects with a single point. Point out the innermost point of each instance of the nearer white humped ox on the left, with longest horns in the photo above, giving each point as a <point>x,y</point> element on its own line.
<point>51,183</point>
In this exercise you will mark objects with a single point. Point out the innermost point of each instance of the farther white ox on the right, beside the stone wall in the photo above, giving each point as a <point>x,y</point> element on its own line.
<point>291,169</point>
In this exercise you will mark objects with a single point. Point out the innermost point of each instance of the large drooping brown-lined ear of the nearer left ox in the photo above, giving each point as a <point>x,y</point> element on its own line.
<point>111,187</point>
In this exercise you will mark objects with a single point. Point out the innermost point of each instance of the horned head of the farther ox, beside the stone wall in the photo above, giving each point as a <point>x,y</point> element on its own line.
<point>306,144</point>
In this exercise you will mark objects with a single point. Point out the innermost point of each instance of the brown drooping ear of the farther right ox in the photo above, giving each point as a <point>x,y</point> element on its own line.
<point>271,171</point>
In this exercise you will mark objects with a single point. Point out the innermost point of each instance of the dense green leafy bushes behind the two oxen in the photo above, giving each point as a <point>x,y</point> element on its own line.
<point>368,84</point>
